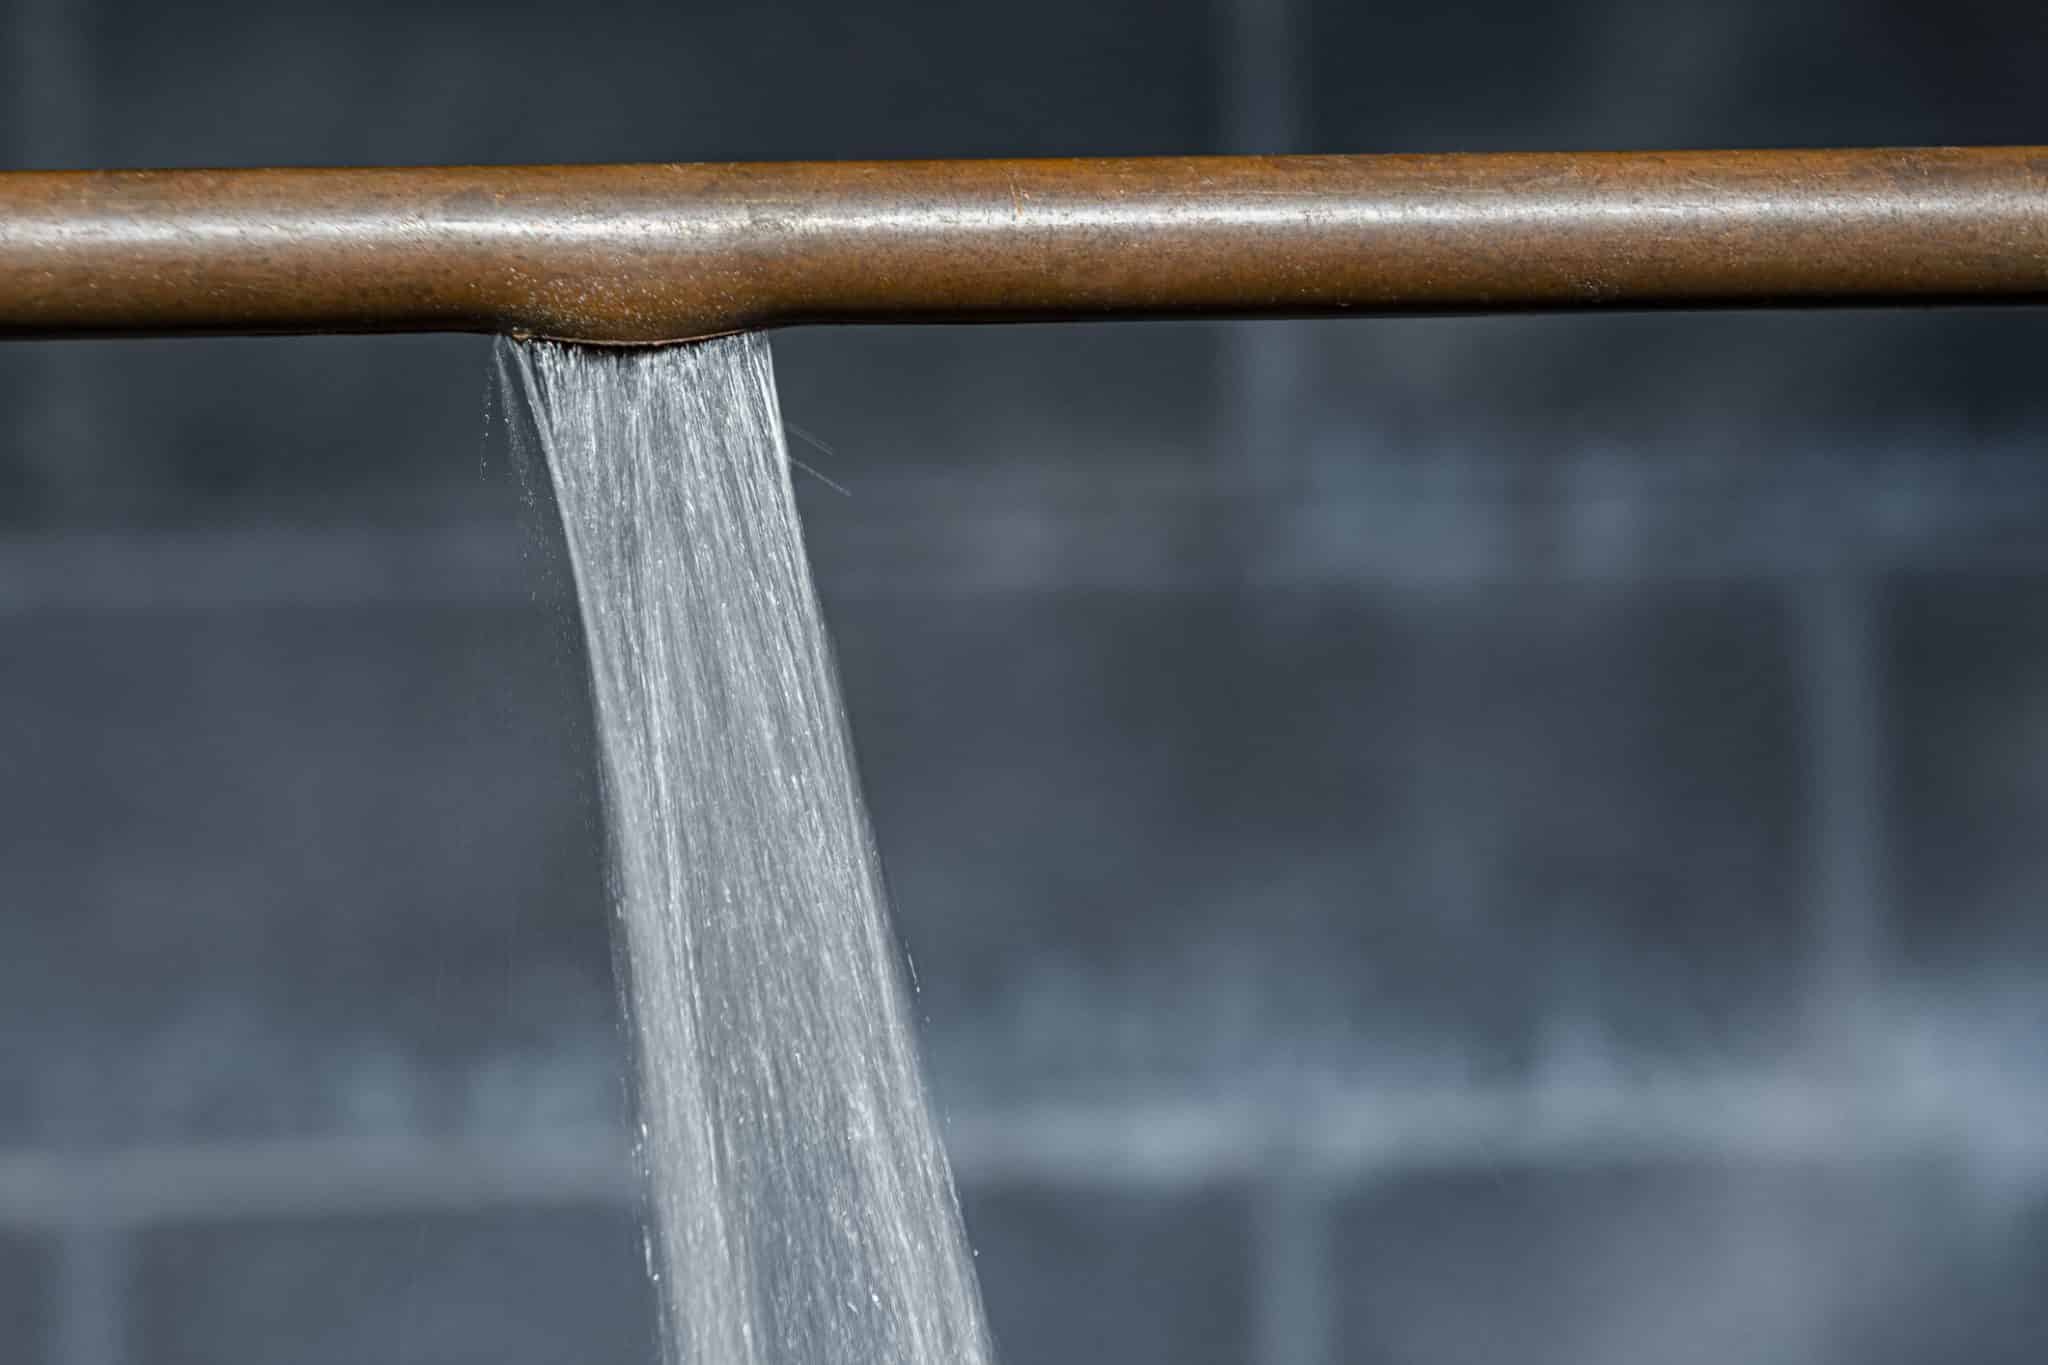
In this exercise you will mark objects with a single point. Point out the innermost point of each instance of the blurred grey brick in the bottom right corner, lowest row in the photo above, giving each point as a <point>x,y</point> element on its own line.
<point>1598,1264</point>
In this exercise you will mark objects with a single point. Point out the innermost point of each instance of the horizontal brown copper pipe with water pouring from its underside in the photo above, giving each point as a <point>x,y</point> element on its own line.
<point>669,253</point>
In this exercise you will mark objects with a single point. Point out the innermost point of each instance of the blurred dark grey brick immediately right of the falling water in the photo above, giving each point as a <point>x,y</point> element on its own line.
<point>1177,842</point>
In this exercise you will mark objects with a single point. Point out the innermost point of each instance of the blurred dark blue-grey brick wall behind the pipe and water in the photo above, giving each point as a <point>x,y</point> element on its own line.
<point>1422,840</point>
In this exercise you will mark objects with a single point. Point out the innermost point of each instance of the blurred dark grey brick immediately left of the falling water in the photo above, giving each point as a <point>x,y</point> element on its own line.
<point>300,871</point>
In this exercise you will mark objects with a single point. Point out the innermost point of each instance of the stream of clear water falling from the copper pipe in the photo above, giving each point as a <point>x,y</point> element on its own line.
<point>802,1204</point>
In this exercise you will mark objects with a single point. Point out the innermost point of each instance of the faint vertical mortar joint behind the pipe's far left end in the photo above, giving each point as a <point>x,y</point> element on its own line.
<point>50,128</point>
